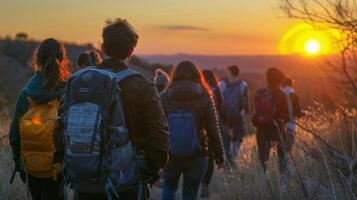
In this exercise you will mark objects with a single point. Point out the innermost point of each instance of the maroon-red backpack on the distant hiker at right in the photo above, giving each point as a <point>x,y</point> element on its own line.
<point>264,108</point>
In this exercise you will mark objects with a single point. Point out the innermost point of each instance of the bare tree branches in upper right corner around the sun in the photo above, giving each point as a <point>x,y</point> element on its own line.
<point>336,14</point>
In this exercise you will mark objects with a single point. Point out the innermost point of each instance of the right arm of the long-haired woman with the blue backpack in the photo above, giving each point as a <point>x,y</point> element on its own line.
<point>214,132</point>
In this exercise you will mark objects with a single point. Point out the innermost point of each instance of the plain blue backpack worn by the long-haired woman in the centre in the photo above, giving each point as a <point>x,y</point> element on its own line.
<point>183,135</point>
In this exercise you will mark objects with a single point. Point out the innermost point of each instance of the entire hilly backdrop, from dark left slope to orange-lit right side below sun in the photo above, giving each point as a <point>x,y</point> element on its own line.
<point>15,68</point>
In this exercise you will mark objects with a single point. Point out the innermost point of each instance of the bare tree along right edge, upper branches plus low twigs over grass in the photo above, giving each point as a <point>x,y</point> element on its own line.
<point>342,16</point>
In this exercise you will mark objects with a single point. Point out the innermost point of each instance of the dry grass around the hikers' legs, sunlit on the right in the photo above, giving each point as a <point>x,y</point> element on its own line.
<point>319,172</point>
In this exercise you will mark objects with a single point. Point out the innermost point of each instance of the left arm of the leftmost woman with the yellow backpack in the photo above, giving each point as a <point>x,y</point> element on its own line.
<point>21,108</point>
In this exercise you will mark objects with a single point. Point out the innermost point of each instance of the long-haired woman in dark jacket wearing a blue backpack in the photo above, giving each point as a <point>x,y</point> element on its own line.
<point>190,108</point>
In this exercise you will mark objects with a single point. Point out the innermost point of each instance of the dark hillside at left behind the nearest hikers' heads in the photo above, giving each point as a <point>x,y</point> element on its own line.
<point>15,64</point>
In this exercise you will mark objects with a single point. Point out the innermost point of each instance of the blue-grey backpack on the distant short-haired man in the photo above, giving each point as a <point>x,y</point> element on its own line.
<point>234,98</point>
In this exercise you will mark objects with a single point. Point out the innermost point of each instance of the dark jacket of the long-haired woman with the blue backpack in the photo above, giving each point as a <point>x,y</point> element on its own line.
<point>185,93</point>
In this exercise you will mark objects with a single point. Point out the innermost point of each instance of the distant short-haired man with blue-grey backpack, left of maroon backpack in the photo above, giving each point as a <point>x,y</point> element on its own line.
<point>235,95</point>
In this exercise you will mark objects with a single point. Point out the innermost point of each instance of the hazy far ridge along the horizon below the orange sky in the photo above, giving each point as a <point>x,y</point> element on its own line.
<point>248,63</point>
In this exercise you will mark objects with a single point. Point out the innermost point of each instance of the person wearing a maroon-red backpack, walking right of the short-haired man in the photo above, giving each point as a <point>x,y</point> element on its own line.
<point>270,117</point>
